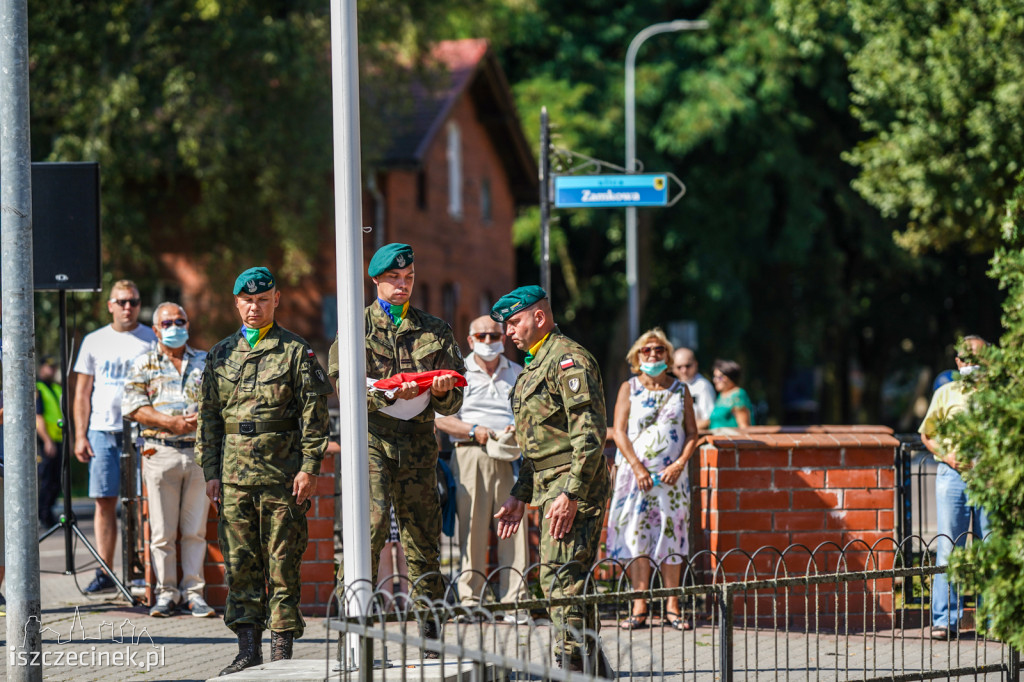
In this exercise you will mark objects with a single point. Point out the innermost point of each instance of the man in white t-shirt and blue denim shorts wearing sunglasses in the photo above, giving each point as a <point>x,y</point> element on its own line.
<point>104,362</point>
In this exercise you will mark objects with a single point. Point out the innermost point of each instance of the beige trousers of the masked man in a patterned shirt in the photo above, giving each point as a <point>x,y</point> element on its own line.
<point>177,491</point>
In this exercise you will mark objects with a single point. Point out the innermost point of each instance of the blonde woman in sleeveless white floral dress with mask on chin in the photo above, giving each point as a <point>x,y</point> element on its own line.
<point>656,432</point>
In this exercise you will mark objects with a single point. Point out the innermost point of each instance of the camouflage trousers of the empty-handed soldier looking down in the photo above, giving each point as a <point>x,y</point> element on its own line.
<point>566,568</point>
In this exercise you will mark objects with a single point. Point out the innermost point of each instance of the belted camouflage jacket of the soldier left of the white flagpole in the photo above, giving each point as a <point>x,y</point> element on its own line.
<point>280,381</point>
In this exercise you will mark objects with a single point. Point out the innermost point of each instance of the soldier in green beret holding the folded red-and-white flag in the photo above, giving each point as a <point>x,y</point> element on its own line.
<point>404,452</point>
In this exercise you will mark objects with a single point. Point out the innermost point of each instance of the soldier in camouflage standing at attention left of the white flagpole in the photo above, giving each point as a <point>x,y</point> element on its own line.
<point>263,433</point>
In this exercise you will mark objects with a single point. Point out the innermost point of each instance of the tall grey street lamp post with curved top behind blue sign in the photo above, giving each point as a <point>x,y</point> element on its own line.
<point>631,153</point>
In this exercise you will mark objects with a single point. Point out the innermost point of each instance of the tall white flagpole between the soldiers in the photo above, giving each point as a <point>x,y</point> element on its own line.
<point>355,465</point>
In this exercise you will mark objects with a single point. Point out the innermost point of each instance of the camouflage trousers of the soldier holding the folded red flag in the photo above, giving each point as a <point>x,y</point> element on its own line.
<point>418,510</point>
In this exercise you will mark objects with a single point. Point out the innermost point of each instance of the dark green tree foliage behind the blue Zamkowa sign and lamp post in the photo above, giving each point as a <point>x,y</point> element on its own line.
<point>784,266</point>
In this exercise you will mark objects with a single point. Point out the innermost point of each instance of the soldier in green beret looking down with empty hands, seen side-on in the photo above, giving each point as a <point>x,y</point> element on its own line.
<point>559,403</point>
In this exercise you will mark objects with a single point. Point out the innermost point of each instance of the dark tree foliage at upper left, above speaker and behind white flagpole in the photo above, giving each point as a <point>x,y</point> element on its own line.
<point>211,119</point>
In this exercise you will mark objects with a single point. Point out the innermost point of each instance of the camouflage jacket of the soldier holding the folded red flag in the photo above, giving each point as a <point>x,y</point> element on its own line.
<point>421,344</point>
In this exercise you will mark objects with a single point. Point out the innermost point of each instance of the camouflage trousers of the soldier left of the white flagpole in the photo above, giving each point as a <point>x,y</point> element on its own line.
<point>264,535</point>
